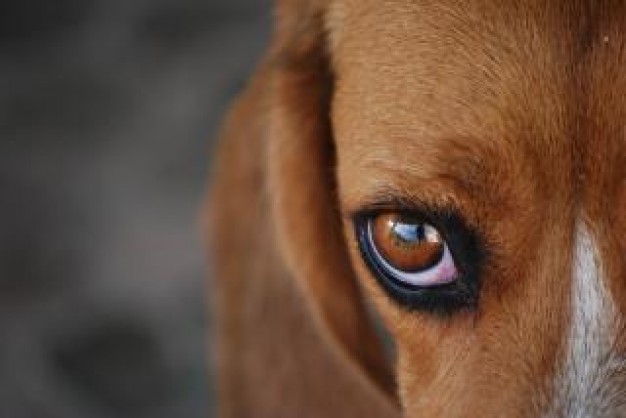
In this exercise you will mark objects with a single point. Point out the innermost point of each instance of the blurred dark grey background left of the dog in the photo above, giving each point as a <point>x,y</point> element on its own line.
<point>107,111</point>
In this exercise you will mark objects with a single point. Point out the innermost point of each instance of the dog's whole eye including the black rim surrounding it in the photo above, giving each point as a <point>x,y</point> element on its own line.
<point>424,260</point>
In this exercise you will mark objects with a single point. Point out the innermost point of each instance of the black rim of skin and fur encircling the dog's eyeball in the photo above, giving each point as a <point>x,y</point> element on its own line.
<point>464,244</point>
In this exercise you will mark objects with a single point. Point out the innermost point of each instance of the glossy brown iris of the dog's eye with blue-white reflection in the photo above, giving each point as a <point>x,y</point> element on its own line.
<point>406,243</point>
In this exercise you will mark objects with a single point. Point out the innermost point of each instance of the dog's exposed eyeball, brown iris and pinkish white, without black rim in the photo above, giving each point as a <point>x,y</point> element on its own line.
<point>409,250</point>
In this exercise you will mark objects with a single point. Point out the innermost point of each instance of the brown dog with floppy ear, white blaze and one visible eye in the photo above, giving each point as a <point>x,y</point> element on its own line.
<point>445,178</point>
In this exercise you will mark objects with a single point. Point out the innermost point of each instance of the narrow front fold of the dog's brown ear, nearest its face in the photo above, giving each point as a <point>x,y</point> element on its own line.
<point>303,190</point>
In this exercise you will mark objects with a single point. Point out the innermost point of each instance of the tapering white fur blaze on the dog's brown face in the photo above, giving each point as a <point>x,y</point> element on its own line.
<point>589,384</point>
